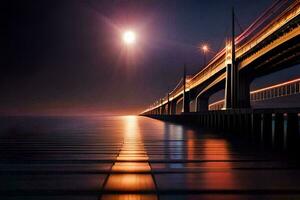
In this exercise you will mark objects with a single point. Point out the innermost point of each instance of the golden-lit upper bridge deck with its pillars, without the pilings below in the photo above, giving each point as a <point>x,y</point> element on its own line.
<point>268,45</point>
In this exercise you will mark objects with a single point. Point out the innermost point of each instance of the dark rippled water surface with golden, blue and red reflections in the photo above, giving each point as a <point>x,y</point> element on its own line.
<point>132,157</point>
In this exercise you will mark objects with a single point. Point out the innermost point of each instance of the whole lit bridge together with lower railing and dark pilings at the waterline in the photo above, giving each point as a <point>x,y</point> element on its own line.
<point>271,43</point>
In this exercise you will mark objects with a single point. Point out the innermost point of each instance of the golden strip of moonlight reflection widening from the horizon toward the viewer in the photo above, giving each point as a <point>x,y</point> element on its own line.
<point>131,161</point>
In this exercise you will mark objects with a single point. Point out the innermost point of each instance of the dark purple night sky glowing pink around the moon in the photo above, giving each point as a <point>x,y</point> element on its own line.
<point>67,57</point>
